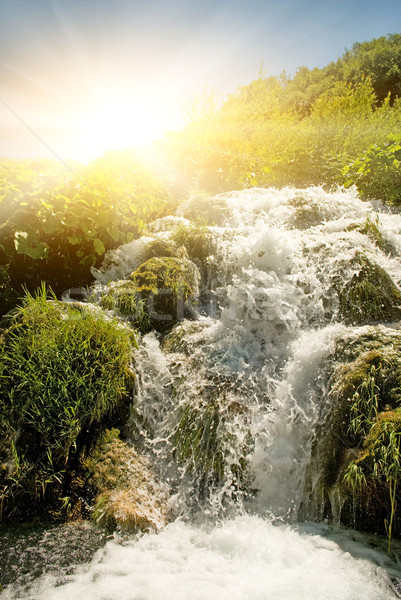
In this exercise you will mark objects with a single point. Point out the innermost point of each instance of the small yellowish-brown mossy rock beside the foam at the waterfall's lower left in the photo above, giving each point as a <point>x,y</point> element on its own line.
<point>128,493</point>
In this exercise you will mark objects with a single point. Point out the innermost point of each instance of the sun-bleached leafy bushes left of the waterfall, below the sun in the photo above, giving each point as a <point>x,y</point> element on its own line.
<point>56,225</point>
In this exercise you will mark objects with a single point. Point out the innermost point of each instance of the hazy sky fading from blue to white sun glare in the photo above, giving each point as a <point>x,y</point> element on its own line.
<point>80,76</point>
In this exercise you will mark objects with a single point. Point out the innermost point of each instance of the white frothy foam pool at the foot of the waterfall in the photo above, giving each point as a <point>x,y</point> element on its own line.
<point>243,559</point>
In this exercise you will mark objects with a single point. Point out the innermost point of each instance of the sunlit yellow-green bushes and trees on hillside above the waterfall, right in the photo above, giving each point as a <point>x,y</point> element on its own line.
<point>298,131</point>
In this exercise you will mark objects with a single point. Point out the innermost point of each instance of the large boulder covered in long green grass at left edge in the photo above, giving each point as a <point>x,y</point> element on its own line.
<point>64,376</point>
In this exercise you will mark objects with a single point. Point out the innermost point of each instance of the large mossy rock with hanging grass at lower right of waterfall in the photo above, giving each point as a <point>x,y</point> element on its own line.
<point>355,472</point>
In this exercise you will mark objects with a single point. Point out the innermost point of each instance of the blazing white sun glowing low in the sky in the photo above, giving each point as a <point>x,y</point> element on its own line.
<point>123,118</point>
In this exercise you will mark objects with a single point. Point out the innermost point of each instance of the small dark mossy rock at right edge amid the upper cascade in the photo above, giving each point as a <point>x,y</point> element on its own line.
<point>370,295</point>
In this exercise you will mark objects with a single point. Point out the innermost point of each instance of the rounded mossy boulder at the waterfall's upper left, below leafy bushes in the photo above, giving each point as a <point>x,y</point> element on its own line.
<point>169,286</point>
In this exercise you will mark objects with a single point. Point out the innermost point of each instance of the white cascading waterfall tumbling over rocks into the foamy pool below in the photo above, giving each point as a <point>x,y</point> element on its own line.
<point>227,404</point>
